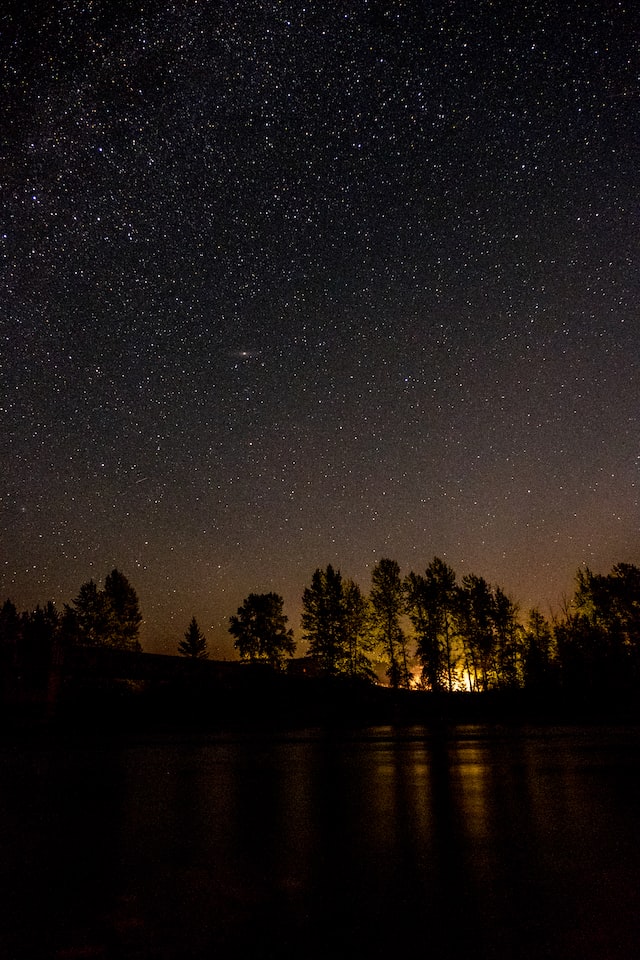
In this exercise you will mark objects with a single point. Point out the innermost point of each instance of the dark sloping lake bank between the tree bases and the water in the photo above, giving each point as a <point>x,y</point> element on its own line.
<point>116,692</point>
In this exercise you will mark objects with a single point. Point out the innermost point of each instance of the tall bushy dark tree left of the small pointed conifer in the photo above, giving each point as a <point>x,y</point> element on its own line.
<point>109,617</point>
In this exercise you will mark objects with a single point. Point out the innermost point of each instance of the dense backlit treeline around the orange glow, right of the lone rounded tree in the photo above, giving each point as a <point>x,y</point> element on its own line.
<point>434,632</point>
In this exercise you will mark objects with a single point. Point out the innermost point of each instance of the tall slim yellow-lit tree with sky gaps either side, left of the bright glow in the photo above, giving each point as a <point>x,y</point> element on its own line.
<point>387,606</point>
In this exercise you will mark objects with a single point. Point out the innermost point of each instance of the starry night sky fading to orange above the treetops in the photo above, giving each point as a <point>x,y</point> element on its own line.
<point>294,283</point>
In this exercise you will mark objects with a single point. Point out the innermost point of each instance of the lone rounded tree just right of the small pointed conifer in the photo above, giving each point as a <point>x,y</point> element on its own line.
<point>260,630</point>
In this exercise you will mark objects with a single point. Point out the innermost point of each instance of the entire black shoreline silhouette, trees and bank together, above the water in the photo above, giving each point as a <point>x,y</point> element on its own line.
<point>427,639</point>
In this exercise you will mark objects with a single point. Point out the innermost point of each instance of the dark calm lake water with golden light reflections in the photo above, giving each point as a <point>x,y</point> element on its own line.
<point>464,841</point>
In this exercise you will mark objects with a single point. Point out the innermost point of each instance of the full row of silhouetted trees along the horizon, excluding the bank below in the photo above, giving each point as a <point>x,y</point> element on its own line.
<point>425,630</point>
